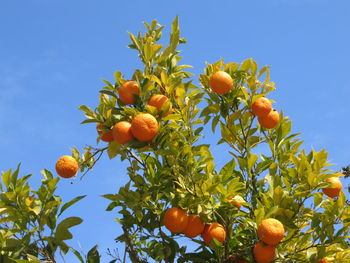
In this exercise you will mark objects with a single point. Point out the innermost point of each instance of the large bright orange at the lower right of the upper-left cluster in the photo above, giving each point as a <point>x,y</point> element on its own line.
<point>144,127</point>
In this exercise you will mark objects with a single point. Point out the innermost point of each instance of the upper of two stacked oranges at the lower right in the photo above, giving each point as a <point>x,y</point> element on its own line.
<point>271,231</point>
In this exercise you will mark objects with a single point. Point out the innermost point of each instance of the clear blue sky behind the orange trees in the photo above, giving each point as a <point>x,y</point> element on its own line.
<point>53,54</point>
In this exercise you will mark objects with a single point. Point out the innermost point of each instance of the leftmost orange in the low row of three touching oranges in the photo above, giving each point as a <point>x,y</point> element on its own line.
<point>175,219</point>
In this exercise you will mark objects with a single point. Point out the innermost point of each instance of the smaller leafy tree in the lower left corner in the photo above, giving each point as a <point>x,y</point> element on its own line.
<point>31,224</point>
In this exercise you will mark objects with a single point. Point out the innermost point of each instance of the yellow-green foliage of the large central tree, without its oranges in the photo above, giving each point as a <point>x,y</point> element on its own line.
<point>267,167</point>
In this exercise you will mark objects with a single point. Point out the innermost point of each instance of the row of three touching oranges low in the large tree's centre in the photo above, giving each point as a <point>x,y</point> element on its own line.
<point>177,221</point>
